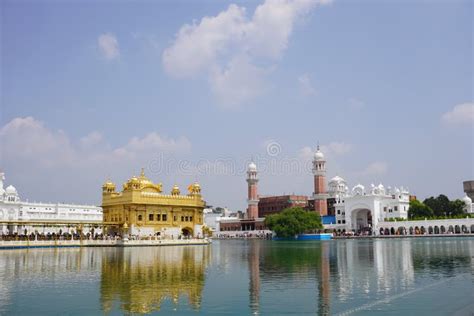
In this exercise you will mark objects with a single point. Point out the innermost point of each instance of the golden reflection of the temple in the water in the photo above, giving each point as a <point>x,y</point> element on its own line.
<point>141,279</point>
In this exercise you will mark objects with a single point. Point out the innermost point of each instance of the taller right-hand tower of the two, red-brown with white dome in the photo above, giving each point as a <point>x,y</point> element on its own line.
<point>320,193</point>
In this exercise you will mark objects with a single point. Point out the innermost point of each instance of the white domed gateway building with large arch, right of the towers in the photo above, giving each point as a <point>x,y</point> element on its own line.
<point>359,209</point>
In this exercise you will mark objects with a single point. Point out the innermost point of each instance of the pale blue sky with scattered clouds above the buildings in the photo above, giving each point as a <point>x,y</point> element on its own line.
<point>192,91</point>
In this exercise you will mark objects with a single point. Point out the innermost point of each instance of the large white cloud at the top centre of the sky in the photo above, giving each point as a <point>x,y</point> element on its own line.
<point>217,45</point>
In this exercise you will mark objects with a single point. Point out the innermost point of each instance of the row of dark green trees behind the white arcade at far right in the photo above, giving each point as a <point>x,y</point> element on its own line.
<point>432,207</point>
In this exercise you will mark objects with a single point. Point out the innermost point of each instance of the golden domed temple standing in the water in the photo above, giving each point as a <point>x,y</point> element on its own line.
<point>142,209</point>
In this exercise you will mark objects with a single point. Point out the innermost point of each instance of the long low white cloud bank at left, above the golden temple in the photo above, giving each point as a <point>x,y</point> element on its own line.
<point>27,140</point>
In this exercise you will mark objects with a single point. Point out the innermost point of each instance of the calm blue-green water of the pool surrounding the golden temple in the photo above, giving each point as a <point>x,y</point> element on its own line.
<point>422,276</point>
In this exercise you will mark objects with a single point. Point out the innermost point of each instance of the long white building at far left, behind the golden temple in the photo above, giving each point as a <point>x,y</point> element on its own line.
<point>17,216</point>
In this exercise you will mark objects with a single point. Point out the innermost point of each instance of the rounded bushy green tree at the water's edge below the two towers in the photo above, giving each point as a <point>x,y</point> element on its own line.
<point>293,221</point>
